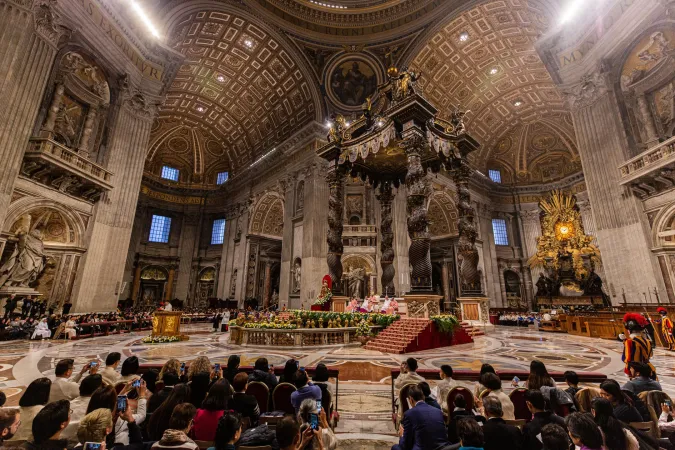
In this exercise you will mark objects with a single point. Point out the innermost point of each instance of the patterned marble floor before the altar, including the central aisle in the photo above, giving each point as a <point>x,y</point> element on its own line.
<point>365,386</point>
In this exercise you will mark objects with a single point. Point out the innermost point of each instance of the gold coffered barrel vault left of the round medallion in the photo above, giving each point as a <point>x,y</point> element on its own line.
<point>239,92</point>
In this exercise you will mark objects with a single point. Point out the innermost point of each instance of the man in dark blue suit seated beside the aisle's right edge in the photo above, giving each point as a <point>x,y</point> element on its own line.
<point>422,427</point>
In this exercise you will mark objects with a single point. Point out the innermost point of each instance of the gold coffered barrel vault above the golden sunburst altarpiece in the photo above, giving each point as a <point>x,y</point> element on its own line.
<point>484,60</point>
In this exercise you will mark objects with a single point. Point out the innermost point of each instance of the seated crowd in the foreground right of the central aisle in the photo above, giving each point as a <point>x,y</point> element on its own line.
<point>561,418</point>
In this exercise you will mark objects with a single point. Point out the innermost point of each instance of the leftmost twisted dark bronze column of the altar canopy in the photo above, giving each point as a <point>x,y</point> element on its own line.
<point>335,178</point>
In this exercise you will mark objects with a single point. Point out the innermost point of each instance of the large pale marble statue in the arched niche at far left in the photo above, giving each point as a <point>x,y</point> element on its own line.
<point>26,262</point>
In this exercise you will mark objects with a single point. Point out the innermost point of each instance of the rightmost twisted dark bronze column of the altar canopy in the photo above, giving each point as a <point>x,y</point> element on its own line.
<point>470,281</point>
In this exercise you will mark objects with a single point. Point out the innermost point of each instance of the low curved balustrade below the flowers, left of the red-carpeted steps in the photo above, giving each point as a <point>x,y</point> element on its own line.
<point>301,337</point>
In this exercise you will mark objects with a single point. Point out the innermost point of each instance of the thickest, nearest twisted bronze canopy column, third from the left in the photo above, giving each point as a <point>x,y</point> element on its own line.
<point>417,186</point>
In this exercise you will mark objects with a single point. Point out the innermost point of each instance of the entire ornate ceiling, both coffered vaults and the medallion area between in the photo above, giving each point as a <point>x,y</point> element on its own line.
<point>256,71</point>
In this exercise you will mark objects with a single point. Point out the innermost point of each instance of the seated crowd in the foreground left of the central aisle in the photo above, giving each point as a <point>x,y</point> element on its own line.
<point>176,407</point>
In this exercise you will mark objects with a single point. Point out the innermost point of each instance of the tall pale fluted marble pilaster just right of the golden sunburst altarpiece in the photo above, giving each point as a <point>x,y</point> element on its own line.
<point>620,231</point>
